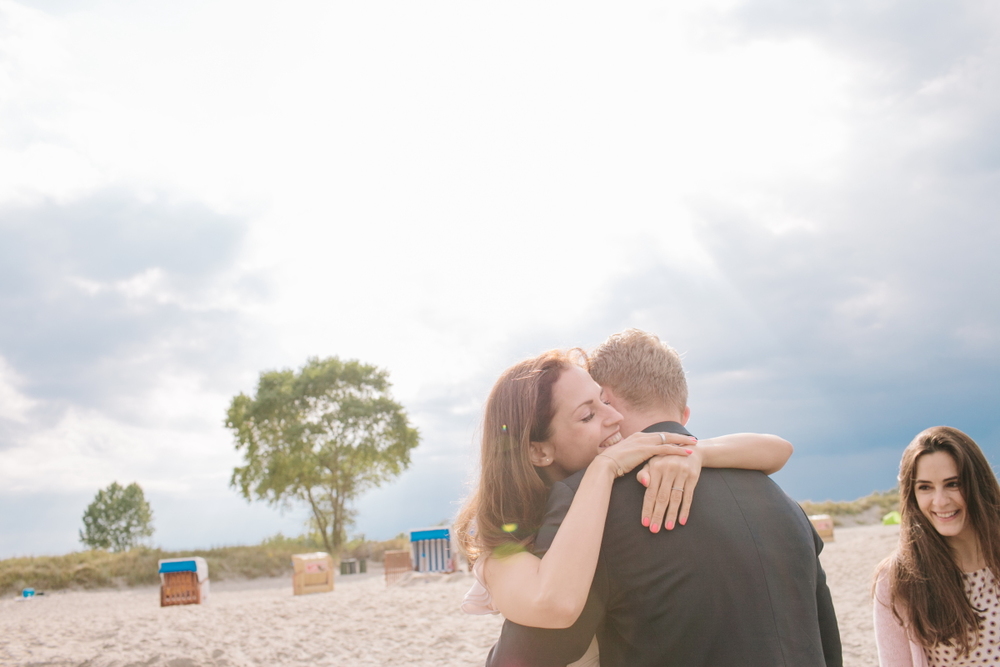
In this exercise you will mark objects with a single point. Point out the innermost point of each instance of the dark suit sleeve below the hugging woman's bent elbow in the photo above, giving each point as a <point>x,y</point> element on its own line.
<point>522,646</point>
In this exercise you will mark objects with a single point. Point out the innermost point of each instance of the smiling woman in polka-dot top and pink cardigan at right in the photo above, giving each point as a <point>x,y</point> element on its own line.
<point>936,597</point>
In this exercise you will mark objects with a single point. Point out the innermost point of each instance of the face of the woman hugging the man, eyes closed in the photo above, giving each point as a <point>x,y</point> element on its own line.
<point>582,424</point>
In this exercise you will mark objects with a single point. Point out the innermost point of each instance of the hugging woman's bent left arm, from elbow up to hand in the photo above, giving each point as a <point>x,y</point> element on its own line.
<point>550,592</point>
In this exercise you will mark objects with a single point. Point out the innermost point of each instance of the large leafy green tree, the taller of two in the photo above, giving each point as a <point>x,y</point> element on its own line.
<point>320,436</point>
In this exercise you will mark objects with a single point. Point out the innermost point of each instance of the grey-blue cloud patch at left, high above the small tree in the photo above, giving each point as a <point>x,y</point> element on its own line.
<point>103,296</point>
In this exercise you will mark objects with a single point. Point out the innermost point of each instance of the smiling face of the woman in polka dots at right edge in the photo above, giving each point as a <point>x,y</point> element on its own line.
<point>939,495</point>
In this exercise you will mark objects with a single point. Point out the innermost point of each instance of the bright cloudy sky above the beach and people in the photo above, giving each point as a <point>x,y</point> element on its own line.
<point>800,197</point>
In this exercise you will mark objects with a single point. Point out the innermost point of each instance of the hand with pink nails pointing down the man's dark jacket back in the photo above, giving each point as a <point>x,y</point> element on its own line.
<point>669,482</point>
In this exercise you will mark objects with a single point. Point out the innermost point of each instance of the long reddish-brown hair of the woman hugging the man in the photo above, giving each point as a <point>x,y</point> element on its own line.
<point>507,506</point>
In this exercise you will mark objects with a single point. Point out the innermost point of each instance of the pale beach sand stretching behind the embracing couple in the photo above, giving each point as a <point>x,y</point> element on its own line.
<point>361,623</point>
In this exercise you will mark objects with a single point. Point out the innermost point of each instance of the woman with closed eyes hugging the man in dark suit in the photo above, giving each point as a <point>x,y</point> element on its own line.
<point>544,420</point>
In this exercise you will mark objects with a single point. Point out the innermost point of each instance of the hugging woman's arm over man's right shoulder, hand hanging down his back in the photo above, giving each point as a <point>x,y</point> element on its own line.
<point>670,484</point>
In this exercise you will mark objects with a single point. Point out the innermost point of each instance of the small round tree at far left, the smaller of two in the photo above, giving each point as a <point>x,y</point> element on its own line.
<point>118,518</point>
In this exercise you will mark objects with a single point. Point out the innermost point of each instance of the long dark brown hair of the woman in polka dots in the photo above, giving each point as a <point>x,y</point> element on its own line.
<point>924,579</point>
